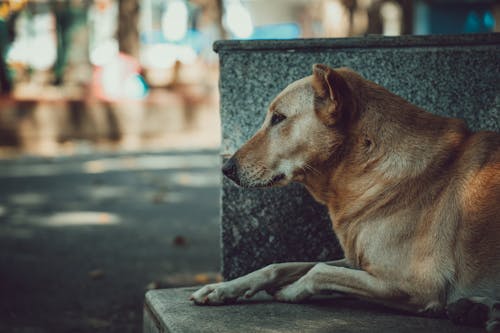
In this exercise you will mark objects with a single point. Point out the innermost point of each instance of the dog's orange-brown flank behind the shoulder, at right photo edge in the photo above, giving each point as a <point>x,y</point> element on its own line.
<point>478,197</point>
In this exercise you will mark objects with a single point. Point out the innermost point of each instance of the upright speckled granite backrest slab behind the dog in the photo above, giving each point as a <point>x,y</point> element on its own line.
<point>456,76</point>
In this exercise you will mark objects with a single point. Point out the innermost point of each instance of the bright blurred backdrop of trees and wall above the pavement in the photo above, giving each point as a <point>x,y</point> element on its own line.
<point>78,75</point>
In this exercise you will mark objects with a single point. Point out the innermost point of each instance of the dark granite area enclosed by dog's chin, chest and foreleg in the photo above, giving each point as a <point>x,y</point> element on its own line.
<point>261,226</point>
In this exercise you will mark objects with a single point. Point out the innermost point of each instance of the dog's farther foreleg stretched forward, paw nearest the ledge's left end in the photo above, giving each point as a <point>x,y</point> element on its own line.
<point>270,278</point>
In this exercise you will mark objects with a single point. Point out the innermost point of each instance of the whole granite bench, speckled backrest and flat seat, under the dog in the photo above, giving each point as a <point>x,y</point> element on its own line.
<point>455,76</point>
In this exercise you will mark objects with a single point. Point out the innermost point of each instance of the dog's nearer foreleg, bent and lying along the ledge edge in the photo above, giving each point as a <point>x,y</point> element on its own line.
<point>324,278</point>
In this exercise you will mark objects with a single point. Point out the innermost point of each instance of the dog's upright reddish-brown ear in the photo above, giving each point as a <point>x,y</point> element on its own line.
<point>328,88</point>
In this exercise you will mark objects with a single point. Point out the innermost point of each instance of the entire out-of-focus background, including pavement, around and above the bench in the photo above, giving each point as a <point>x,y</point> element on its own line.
<point>109,136</point>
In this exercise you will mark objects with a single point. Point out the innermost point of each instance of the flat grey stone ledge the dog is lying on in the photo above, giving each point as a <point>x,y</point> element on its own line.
<point>169,310</point>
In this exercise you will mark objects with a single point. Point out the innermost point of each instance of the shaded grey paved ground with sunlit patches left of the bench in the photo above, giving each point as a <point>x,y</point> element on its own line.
<point>82,238</point>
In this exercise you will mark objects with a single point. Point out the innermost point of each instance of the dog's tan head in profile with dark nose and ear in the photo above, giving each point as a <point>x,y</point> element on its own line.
<point>304,127</point>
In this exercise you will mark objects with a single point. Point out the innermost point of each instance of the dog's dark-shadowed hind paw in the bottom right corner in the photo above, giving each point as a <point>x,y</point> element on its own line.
<point>476,311</point>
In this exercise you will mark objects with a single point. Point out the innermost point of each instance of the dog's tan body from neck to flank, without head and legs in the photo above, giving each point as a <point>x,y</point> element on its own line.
<point>445,181</point>
